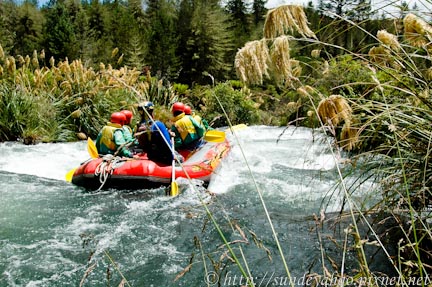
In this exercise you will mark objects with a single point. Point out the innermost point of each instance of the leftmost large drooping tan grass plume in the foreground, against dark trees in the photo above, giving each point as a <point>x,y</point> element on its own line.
<point>251,62</point>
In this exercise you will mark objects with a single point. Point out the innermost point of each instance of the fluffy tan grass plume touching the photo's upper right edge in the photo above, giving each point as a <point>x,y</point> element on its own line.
<point>417,31</point>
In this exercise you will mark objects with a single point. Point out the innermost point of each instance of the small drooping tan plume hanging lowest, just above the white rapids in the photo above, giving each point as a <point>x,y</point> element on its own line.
<point>334,109</point>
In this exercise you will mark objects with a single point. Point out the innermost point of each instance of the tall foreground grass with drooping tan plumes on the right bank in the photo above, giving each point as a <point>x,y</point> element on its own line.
<point>384,120</point>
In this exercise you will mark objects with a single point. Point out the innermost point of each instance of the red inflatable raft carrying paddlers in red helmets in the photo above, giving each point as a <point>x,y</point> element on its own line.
<point>123,173</point>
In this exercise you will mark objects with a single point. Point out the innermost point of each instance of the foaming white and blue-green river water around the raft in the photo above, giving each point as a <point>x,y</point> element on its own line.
<point>55,234</point>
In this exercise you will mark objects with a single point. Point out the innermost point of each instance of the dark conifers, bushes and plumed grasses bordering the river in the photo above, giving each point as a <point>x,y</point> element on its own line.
<point>361,77</point>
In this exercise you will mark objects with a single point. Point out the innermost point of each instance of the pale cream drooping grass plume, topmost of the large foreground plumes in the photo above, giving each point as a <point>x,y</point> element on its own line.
<point>287,18</point>
